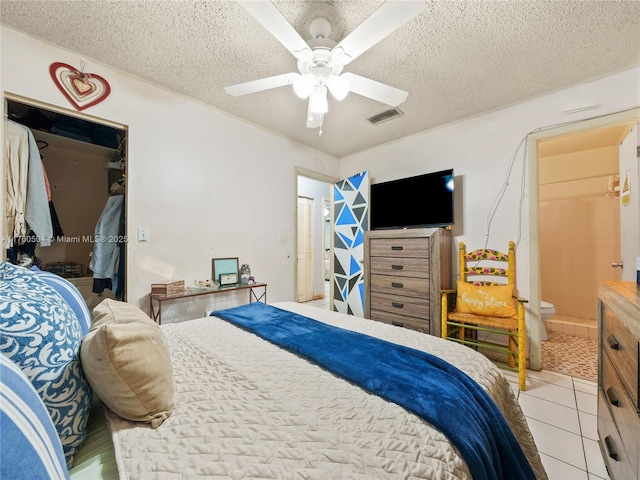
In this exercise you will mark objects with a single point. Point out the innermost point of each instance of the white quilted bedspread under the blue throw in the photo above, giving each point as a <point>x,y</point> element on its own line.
<point>246,409</point>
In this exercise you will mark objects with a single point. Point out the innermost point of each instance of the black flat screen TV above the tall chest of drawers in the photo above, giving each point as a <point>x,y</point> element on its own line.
<point>421,201</point>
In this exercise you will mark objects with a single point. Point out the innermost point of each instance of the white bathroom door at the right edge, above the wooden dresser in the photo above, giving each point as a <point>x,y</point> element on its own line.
<point>629,207</point>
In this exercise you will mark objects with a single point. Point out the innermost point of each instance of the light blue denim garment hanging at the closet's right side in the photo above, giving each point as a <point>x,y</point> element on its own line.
<point>106,247</point>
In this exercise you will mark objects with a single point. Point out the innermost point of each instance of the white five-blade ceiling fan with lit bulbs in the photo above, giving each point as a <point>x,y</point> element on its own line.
<point>321,60</point>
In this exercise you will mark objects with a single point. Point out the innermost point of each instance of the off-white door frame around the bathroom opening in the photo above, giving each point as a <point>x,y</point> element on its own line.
<point>631,117</point>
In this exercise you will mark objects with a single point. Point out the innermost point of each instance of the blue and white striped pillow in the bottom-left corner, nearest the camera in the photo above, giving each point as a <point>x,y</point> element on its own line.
<point>30,446</point>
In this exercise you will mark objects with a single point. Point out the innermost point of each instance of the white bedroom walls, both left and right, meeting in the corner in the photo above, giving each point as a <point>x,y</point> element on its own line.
<point>208,185</point>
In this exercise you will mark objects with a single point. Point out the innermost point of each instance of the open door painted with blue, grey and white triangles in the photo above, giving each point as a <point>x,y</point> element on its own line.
<point>350,221</point>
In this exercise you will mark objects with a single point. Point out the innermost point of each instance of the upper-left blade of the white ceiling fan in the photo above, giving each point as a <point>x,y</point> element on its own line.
<point>268,15</point>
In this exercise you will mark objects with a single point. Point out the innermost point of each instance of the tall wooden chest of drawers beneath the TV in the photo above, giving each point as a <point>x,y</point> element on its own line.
<point>404,271</point>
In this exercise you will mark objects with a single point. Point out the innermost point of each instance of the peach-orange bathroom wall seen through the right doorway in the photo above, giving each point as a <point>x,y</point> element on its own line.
<point>579,229</point>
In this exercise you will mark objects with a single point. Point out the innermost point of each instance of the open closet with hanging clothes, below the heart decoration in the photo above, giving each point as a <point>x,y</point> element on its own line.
<point>84,166</point>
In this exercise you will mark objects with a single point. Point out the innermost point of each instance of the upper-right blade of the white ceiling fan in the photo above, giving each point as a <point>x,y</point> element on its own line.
<point>390,16</point>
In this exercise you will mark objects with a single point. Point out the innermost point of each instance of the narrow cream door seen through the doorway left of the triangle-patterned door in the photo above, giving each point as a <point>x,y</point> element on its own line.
<point>305,249</point>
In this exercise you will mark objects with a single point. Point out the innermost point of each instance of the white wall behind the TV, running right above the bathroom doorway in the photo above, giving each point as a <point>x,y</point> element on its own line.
<point>480,149</point>
